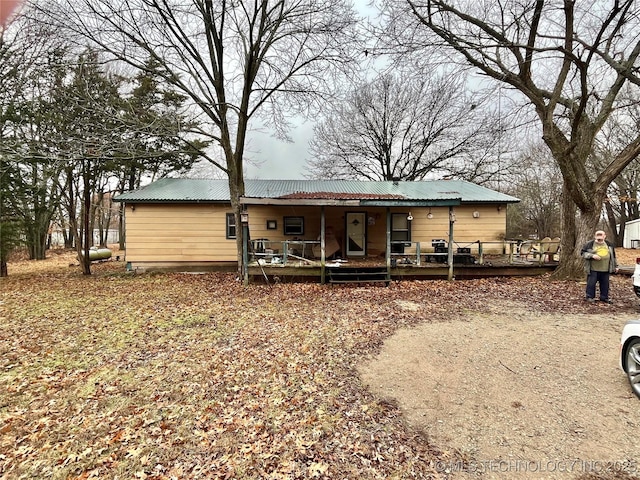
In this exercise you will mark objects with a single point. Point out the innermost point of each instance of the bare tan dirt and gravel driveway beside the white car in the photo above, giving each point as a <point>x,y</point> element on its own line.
<point>518,396</point>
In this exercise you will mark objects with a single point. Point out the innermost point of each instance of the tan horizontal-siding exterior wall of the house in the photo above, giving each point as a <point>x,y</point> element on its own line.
<point>195,234</point>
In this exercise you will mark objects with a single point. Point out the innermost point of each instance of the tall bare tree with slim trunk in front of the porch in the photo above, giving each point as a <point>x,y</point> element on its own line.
<point>231,59</point>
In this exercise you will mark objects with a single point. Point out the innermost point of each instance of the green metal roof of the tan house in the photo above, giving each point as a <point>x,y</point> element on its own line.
<point>188,190</point>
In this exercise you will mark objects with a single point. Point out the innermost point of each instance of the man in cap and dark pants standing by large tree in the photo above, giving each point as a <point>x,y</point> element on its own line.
<point>600,262</point>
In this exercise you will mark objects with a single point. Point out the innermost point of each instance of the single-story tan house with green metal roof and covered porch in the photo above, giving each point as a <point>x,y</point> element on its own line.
<point>313,225</point>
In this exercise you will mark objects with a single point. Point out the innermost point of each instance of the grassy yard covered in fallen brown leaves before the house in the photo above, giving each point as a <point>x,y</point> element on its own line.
<point>195,376</point>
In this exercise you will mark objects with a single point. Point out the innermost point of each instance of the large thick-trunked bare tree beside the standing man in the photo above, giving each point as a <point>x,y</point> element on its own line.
<point>569,60</point>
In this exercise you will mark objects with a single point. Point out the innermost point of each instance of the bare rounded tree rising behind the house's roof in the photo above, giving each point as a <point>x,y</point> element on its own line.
<point>403,126</point>
